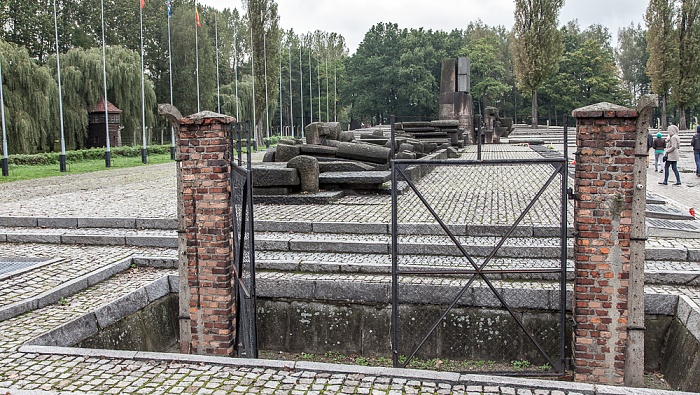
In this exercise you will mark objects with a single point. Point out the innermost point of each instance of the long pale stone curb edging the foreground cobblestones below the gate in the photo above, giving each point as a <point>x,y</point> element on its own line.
<point>407,374</point>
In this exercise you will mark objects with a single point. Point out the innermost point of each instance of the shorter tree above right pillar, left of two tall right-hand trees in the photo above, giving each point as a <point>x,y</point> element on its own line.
<point>632,57</point>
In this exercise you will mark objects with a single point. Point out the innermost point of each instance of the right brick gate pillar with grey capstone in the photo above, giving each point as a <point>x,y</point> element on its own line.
<point>606,136</point>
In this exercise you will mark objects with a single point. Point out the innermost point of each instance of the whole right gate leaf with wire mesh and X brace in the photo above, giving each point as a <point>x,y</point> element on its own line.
<point>443,285</point>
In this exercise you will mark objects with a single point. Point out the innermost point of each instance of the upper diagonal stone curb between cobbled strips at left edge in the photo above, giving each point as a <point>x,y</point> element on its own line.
<point>65,289</point>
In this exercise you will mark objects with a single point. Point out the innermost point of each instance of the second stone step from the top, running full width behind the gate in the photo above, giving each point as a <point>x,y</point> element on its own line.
<point>519,246</point>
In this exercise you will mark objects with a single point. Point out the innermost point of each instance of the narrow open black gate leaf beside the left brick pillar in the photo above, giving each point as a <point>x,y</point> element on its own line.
<point>244,251</point>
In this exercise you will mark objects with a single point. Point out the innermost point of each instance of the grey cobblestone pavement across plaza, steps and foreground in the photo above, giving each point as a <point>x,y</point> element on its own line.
<point>151,194</point>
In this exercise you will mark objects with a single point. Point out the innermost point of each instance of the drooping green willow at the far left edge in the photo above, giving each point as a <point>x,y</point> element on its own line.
<point>31,101</point>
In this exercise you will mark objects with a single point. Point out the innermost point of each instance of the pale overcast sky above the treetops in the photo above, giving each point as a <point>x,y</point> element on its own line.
<point>353,18</point>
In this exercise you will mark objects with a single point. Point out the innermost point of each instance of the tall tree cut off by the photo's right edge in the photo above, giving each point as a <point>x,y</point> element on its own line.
<point>685,85</point>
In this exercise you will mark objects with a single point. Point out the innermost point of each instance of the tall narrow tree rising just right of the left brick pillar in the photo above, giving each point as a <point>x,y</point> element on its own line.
<point>263,21</point>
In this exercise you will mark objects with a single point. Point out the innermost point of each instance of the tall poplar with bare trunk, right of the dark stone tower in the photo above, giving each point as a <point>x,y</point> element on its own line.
<point>536,46</point>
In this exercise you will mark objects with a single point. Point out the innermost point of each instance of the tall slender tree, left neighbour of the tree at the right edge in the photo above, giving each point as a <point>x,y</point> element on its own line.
<point>663,50</point>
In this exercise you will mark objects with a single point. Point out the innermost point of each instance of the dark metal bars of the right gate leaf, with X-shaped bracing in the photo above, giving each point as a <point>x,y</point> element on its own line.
<point>398,167</point>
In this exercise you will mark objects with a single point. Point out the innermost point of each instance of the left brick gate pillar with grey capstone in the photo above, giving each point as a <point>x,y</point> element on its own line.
<point>207,300</point>
